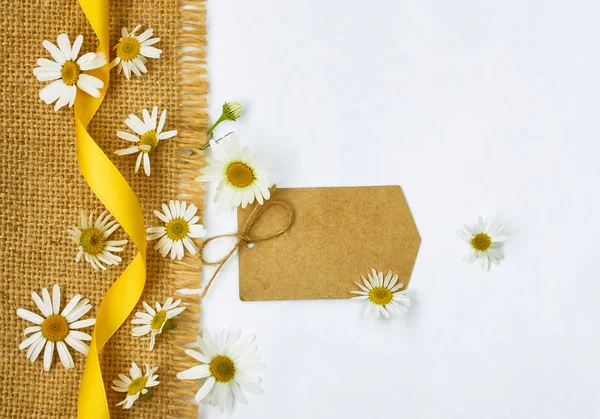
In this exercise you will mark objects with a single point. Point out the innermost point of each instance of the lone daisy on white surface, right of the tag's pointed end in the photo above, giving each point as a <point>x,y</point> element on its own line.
<point>485,241</point>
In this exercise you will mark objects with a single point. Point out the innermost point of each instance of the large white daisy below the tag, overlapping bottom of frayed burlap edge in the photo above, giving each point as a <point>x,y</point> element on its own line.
<point>228,365</point>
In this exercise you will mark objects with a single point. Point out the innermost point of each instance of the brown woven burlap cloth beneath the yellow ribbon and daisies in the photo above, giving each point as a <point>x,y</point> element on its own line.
<point>42,192</point>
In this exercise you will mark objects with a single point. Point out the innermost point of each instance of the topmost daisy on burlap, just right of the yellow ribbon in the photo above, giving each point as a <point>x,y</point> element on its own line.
<point>134,50</point>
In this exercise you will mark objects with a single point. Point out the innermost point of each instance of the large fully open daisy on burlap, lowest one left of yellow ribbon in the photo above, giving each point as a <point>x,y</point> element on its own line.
<point>56,329</point>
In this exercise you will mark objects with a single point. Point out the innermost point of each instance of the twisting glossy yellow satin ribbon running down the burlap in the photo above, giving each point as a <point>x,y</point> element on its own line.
<point>113,191</point>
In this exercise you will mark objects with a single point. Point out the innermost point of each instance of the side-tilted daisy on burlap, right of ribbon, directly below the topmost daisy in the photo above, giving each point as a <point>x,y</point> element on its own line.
<point>147,138</point>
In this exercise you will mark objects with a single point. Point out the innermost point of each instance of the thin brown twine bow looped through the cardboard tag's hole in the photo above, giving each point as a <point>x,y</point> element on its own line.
<point>244,236</point>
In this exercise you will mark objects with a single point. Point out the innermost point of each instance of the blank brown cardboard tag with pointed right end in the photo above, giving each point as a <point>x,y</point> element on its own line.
<point>338,234</point>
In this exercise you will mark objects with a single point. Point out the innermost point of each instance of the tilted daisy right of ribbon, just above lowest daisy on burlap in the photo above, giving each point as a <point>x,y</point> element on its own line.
<point>153,321</point>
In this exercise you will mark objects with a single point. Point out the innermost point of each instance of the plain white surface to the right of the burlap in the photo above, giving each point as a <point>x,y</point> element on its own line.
<point>473,107</point>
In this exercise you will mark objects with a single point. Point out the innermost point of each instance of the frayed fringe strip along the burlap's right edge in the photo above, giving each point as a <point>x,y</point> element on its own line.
<point>185,274</point>
